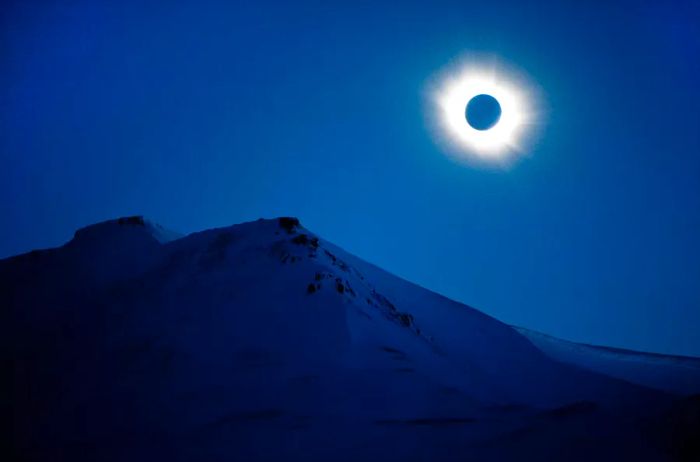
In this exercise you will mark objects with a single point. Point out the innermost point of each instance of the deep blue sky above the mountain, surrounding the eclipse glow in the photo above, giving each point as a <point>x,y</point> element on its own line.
<point>207,115</point>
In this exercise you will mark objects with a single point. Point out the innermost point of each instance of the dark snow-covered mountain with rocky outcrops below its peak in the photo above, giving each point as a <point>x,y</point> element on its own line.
<point>262,341</point>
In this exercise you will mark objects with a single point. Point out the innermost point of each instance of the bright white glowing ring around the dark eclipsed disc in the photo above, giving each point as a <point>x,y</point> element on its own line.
<point>511,135</point>
